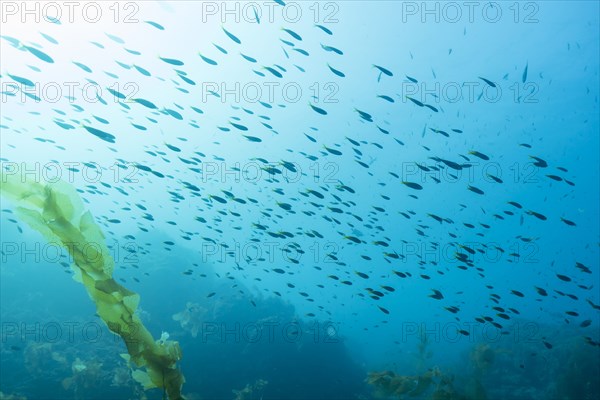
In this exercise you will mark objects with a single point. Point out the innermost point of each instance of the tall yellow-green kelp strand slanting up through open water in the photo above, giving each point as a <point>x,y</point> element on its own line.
<point>57,212</point>
